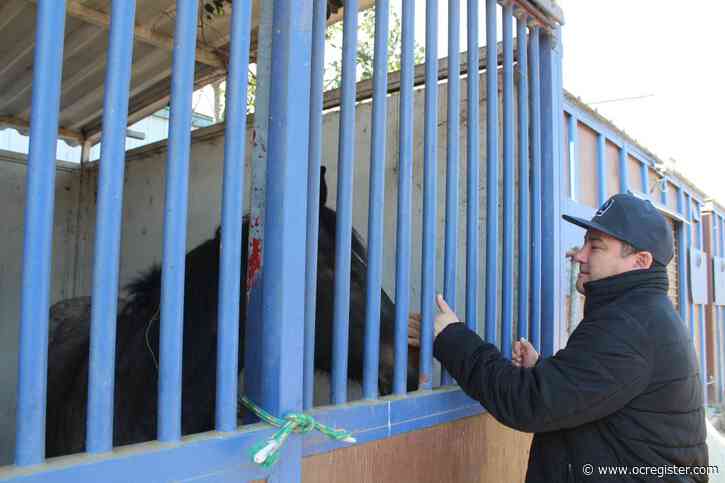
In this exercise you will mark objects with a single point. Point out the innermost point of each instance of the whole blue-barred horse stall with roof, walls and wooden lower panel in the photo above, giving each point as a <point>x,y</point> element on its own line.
<point>152,54</point>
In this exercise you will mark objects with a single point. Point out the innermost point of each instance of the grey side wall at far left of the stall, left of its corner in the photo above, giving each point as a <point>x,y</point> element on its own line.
<point>13,176</point>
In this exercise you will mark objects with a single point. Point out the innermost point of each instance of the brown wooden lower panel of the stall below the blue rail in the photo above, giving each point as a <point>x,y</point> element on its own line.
<point>475,449</point>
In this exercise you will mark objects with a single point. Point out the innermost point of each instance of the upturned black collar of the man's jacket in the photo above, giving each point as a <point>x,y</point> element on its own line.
<point>606,290</point>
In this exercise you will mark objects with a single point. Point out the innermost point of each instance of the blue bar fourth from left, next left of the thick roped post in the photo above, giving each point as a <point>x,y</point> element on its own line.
<point>232,212</point>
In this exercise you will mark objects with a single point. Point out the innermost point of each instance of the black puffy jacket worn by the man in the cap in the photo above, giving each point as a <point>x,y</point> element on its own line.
<point>625,391</point>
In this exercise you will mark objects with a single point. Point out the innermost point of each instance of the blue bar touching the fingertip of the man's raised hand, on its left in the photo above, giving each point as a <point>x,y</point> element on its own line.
<point>430,168</point>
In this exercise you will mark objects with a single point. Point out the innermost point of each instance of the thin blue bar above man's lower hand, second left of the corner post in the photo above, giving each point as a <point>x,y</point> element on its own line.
<point>523,117</point>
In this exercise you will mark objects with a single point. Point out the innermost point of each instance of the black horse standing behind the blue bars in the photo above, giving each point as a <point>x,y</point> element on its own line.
<point>137,344</point>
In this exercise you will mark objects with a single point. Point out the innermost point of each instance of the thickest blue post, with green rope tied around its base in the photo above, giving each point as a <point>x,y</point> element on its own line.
<point>286,206</point>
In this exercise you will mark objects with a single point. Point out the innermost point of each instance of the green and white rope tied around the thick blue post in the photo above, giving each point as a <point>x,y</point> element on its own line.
<point>266,453</point>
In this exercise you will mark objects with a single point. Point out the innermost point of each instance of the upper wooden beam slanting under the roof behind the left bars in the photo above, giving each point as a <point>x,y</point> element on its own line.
<point>142,33</point>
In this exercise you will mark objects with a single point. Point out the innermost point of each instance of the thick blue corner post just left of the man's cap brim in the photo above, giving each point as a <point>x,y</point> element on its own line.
<point>551,255</point>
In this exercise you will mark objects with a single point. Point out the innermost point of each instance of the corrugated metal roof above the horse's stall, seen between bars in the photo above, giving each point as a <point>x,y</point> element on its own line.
<point>84,60</point>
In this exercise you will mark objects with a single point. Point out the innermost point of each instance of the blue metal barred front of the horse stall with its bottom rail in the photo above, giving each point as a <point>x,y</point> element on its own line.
<point>280,334</point>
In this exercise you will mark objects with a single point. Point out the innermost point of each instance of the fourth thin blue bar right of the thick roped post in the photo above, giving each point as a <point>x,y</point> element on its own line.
<point>405,179</point>
